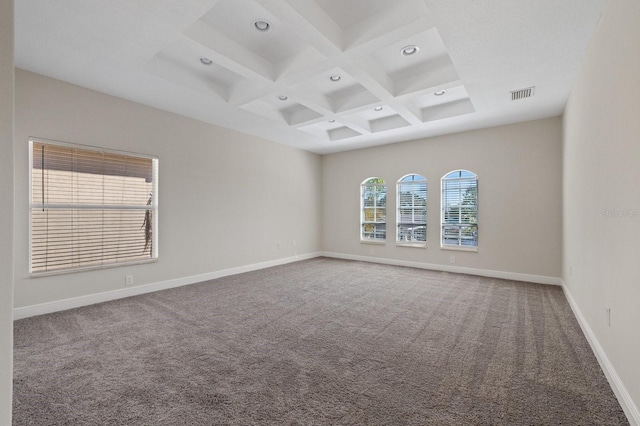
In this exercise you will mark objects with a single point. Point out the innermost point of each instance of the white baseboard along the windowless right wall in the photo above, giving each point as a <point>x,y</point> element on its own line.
<point>625,400</point>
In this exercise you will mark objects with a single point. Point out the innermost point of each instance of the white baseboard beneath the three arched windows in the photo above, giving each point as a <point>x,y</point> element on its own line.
<point>539,279</point>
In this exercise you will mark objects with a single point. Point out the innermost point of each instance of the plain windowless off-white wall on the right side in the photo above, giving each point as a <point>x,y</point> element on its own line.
<point>601,192</point>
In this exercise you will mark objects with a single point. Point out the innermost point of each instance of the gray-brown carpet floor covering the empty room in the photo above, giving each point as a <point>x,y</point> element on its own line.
<point>317,342</point>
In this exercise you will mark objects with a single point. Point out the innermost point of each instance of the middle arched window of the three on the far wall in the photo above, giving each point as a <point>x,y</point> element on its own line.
<point>411,195</point>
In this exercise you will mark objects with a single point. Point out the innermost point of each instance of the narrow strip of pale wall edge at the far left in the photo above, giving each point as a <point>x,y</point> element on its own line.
<point>6,209</point>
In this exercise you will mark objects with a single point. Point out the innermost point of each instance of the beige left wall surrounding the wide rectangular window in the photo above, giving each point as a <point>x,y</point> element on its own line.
<point>225,198</point>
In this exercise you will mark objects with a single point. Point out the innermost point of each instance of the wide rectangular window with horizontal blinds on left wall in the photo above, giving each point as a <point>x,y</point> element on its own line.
<point>91,207</point>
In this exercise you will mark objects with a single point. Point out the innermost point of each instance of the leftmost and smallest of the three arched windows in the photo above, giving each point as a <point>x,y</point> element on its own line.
<point>373,218</point>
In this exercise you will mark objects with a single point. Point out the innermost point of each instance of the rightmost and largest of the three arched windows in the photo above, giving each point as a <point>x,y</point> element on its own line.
<point>460,210</point>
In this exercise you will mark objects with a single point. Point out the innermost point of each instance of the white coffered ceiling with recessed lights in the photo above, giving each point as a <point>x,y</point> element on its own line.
<point>320,75</point>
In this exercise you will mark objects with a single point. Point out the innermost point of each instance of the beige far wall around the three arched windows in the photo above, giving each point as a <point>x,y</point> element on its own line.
<point>519,179</point>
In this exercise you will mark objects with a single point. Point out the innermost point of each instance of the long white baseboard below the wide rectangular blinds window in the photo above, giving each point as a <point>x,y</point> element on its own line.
<point>91,299</point>
